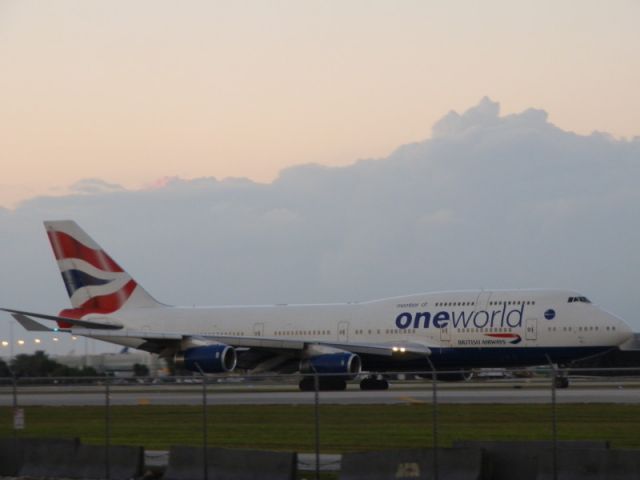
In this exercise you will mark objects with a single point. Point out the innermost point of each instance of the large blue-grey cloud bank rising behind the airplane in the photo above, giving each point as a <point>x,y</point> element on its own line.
<point>488,201</point>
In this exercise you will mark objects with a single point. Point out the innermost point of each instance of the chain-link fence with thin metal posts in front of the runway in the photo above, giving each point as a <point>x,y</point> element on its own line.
<point>269,412</point>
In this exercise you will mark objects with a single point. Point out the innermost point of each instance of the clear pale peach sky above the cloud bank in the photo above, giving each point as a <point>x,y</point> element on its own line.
<point>132,92</point>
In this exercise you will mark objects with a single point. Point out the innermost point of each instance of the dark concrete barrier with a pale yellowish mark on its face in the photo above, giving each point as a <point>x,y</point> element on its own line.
<point>453,464</point>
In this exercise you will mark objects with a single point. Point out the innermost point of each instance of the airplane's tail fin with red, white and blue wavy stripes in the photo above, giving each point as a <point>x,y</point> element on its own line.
<point>95,283</point>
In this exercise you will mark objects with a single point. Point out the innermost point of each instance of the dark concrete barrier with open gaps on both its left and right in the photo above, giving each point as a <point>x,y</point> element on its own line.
<point>222,464</point>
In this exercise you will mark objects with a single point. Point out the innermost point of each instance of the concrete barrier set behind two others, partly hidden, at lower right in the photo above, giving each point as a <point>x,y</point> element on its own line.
<point>520,459</point>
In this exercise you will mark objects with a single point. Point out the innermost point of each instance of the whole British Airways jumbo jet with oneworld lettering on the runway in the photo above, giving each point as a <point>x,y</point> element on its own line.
<point>451,331</point>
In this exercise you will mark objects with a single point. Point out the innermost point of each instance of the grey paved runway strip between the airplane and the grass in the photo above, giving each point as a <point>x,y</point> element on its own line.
<point>623,392</point>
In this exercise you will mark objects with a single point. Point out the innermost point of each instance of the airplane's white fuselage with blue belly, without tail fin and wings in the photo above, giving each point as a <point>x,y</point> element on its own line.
<point>474,328</point>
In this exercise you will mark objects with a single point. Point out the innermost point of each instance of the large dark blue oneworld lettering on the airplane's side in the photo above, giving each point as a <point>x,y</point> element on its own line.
<point>462,319</point>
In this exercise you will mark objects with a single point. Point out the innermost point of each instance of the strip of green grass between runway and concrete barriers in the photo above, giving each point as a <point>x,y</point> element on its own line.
<point>342,427</point>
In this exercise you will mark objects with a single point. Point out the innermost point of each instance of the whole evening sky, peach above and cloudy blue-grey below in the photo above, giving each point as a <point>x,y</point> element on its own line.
<point>294,152</point>
